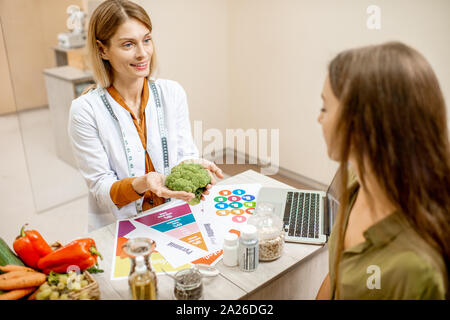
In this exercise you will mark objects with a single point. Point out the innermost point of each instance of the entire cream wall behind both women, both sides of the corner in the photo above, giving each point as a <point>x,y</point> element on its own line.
<point>261,63</point>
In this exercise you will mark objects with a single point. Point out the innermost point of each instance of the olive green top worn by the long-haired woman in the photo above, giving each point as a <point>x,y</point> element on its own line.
<point>394,262</point>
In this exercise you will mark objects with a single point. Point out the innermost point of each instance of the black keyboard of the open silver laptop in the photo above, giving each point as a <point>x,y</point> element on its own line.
<point>301,215</point>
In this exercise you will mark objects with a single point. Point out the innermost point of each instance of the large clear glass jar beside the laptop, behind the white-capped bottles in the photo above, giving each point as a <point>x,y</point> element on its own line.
<point>270,231</point>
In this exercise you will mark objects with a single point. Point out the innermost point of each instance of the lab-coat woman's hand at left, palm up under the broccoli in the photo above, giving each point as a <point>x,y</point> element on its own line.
<point>155,182</point>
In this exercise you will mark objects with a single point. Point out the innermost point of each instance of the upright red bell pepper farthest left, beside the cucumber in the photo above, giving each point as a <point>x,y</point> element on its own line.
<point>30,247</point>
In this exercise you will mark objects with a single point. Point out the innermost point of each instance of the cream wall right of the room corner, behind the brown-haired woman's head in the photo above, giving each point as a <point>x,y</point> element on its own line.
<point>280,50</point>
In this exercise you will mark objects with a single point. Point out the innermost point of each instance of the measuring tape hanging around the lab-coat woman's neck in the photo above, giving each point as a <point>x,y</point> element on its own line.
<point>162,133</point>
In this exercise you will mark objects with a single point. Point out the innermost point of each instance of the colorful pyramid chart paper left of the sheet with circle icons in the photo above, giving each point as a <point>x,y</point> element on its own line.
<point>179,240</point>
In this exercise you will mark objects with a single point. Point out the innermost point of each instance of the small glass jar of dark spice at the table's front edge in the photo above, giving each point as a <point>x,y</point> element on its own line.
<point>188,285</point>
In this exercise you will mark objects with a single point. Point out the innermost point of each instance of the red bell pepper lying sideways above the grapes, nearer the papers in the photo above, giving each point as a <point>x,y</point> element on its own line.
<point>81,253</point>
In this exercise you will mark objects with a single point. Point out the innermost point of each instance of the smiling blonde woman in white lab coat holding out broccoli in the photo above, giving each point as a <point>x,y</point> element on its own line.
<point>131,129</point>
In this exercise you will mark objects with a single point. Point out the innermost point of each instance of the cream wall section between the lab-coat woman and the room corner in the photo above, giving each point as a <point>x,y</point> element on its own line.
<point>191,42</point>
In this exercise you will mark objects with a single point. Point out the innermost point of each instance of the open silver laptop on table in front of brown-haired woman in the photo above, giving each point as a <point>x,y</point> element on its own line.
<point>308,215</point>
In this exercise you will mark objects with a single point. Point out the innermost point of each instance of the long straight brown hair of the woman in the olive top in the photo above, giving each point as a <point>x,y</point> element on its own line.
<point>392,117</point>
